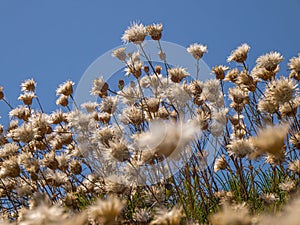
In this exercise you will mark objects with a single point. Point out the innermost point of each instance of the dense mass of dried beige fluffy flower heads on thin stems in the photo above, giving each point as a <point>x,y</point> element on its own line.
<point>160,149</point>
